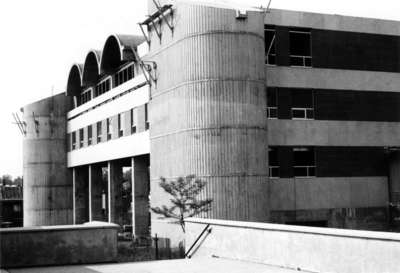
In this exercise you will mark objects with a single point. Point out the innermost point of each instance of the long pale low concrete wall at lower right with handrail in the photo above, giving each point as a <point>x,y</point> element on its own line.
<point>296,247</point>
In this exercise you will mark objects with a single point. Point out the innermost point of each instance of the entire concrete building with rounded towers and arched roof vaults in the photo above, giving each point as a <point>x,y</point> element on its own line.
<point>291,117</point>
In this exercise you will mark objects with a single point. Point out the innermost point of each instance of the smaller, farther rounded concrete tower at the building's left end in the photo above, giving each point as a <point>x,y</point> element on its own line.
<point>47,185</point>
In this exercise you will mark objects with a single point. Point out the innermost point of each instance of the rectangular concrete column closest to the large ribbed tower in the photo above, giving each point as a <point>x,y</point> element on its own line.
<point>140,196</point>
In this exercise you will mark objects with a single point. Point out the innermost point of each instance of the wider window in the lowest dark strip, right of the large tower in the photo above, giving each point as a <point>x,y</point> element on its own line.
<point>304,162</point>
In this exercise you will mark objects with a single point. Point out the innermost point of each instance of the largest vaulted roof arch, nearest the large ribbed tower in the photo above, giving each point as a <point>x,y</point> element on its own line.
<point>117,49</point>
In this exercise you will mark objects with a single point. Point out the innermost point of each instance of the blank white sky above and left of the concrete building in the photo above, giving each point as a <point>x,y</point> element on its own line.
<point>41,39</point>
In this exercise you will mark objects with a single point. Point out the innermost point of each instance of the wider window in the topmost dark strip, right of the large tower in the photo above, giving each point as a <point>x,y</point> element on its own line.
<point>300,48</point>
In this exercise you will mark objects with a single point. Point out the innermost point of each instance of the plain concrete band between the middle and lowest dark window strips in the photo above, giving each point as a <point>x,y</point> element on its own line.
<point>333,133</point>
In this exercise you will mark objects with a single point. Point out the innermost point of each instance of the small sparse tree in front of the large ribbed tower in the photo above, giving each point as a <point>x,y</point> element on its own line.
<point>184,191</point>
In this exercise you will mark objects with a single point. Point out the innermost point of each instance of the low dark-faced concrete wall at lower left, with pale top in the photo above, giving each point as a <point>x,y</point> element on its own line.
<point>58,245</point>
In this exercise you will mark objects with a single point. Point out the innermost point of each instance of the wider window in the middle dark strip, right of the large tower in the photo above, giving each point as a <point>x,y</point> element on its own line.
<point>302,104</point>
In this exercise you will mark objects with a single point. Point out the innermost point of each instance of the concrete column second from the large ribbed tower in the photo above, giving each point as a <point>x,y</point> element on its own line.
<point>115,192</point>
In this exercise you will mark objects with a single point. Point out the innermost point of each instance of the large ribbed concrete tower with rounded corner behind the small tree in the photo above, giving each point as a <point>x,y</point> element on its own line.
<point>208,110</point>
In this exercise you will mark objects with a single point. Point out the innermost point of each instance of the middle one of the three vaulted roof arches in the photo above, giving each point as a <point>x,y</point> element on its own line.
<point>91,68</point>
